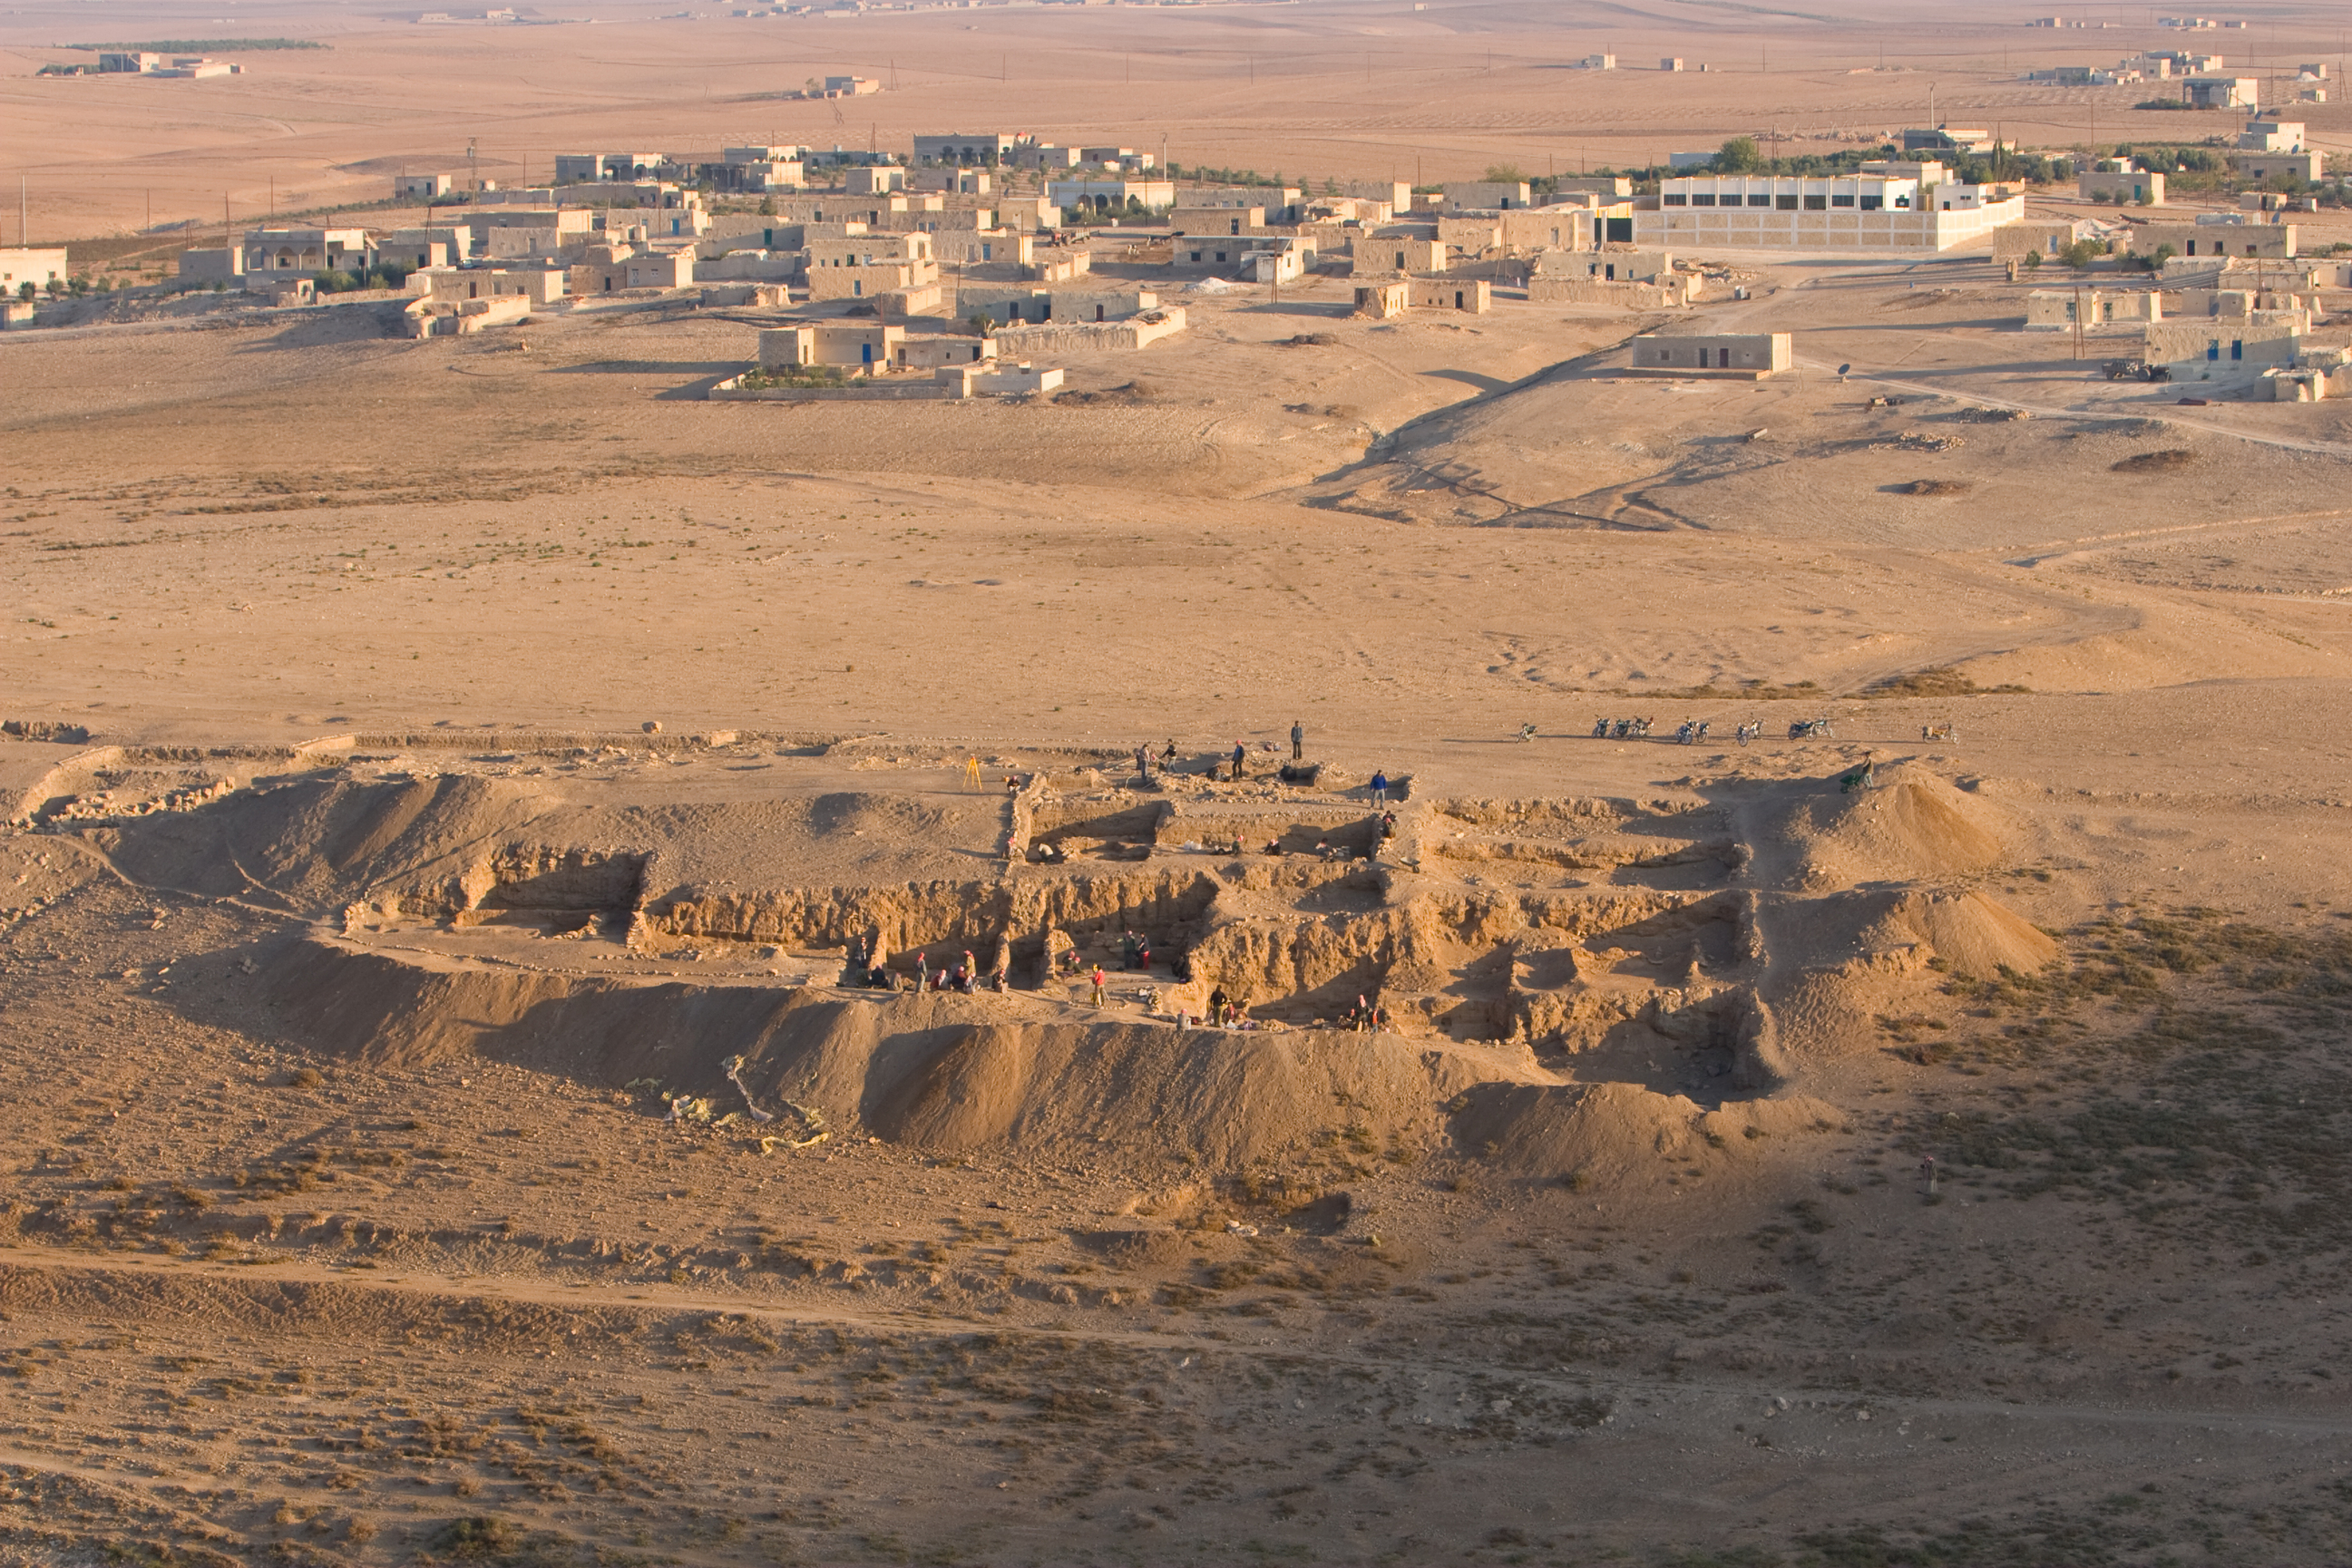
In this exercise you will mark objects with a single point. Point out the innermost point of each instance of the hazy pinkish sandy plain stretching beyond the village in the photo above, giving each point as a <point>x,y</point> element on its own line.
<point>1330,88</point>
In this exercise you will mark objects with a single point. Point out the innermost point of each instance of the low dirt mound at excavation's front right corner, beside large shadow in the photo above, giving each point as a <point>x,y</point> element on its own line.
<point>1619,1137</point>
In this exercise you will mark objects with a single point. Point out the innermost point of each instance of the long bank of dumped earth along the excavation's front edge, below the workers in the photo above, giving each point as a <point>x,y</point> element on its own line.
<point>940,1073</point>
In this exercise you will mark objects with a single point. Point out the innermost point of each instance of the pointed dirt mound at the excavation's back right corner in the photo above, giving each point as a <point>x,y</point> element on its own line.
<point>1911,826</point>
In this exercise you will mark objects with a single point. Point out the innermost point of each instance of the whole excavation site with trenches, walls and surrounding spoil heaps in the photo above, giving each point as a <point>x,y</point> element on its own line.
<point>634,930</point>
